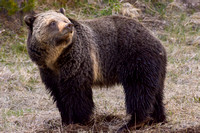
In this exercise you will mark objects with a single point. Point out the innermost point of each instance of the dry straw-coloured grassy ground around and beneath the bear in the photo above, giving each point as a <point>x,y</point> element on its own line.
<point>25,105</point>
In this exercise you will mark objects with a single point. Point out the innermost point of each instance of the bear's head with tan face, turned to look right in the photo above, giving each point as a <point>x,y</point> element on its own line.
<point>49,33</point>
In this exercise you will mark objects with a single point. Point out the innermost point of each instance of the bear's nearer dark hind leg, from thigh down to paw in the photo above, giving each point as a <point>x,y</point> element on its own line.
<point>141,84</point>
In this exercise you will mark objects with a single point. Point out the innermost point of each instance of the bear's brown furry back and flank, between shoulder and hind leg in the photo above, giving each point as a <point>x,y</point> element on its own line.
<point>113,42</point>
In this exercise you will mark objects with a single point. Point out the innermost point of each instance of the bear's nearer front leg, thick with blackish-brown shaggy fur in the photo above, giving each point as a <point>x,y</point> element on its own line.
<point>75,103</point>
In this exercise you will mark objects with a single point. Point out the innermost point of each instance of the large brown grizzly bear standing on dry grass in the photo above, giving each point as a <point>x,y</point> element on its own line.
<point>73,56</point>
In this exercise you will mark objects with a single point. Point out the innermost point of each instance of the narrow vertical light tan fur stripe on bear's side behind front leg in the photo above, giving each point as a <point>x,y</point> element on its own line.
<point>96,67</point>
